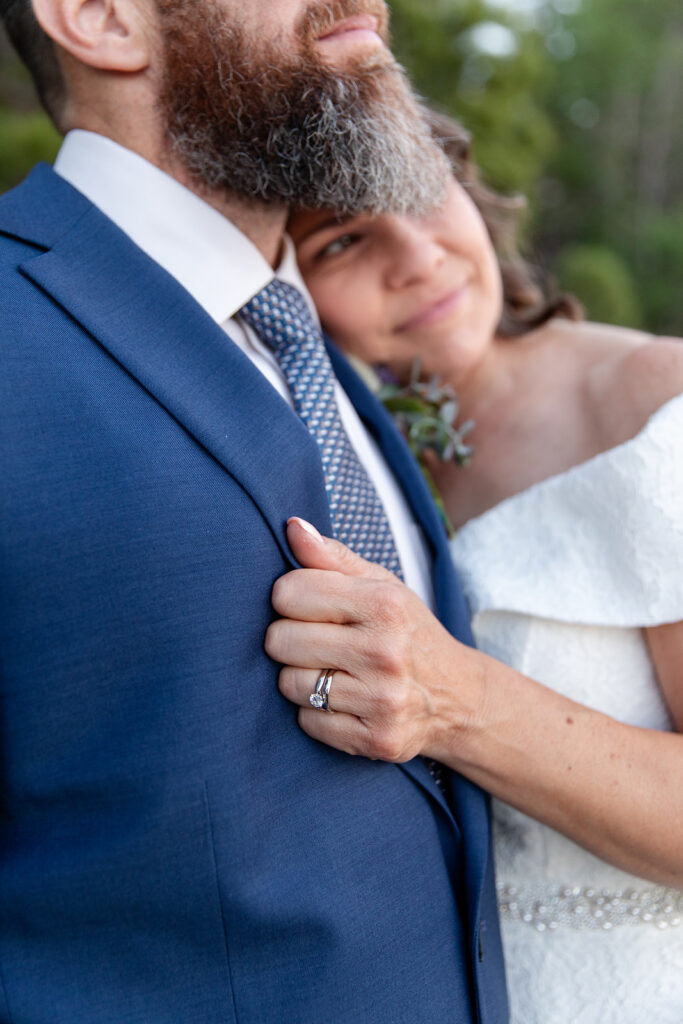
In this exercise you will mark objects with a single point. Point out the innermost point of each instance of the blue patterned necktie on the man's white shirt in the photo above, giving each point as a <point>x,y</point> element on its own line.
<point>281,318</point>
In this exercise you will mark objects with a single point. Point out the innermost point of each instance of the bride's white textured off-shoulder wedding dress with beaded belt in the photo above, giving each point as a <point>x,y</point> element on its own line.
<point>562,579</point>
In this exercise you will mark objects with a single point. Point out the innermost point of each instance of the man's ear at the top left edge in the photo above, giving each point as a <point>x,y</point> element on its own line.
<point>112,35</point>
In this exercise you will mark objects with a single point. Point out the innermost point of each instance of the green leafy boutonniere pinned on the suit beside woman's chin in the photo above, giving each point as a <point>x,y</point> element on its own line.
<point>426,413</point>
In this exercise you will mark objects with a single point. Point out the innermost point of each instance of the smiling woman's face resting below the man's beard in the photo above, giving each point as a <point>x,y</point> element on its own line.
<point>392,288</point>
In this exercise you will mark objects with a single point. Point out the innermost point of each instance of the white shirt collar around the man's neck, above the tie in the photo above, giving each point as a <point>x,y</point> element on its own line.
<point>205,252</point>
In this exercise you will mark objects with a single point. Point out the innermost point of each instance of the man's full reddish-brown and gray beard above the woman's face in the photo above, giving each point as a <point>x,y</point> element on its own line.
<point>301,136</point>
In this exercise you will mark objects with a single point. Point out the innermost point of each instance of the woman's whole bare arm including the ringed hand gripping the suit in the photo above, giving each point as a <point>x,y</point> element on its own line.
<point>405,687</point>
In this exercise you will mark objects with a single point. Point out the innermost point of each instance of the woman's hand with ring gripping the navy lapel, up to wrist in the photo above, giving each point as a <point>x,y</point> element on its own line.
<point>395,693</point>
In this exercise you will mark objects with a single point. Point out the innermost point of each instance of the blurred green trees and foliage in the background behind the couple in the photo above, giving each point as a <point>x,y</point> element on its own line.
<point>576,104</point>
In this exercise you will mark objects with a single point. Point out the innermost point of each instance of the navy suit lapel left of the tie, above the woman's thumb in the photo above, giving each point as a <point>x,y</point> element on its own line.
<point>181,357</point>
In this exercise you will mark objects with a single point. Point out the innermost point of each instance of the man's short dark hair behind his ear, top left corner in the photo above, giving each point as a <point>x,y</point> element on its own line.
<point>37,52</point>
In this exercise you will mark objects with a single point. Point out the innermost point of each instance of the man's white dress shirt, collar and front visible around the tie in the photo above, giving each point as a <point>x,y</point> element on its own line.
<point>223,270</point>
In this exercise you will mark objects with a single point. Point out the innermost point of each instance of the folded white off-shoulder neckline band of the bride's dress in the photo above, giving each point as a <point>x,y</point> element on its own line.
<point>601,543</point>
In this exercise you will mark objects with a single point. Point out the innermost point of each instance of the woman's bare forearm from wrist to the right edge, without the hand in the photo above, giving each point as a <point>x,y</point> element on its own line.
<point>615,789</point>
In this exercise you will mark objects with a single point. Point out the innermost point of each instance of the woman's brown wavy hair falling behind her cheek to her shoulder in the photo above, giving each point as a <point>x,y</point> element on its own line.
<point>528,302</point>
